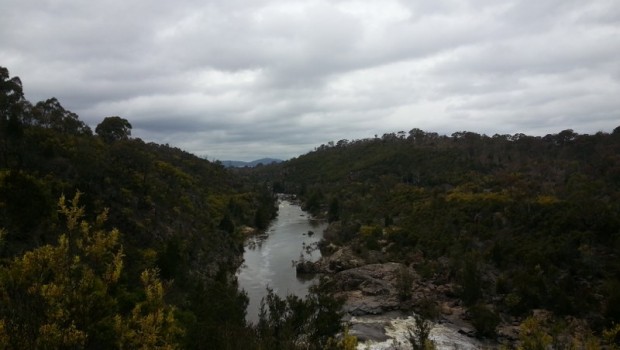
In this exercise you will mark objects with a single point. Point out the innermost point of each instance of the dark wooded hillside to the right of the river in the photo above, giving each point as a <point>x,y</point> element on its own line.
<point>510,223</point>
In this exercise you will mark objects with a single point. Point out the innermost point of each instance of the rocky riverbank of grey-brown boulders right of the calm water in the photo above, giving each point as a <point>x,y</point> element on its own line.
<point>387,293</point>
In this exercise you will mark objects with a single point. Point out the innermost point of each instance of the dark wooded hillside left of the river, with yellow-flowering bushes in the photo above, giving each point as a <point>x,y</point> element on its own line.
<point>111,242</point>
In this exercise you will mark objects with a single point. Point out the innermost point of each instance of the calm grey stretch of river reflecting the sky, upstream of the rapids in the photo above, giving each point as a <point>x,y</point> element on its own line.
<point>268,257</point>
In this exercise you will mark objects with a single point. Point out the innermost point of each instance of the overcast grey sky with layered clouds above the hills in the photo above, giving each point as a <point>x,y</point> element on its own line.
<point>245,79</point>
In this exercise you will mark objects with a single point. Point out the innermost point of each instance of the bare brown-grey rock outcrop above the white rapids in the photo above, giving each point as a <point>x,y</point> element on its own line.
<point>374,288</point>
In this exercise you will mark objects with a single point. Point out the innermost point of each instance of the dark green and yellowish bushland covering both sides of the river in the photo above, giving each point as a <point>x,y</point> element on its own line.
<point>107,241</point>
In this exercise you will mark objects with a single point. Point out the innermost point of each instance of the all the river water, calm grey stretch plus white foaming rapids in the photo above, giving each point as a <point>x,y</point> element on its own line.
<point>268,263</point>
